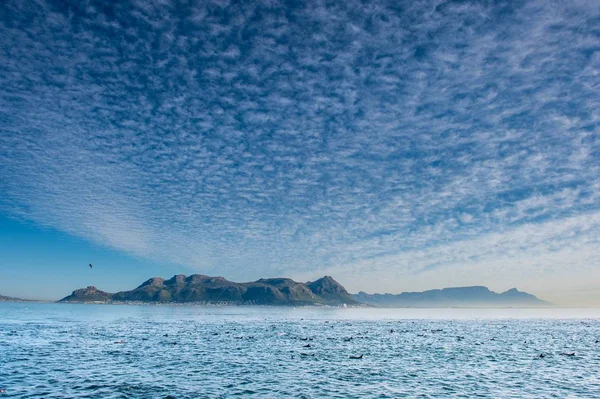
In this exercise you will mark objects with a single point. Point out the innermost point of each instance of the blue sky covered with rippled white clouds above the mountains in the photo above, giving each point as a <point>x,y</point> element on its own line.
<point>395,145</point>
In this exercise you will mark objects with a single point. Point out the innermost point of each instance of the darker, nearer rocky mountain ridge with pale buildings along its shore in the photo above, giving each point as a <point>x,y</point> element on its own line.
<point>205,289</point>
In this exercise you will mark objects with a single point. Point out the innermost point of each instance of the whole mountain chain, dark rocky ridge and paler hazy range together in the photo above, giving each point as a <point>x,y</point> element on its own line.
<point>284,291</point>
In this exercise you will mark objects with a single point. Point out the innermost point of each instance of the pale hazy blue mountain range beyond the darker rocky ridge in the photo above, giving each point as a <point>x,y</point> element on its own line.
<point>476,296</point>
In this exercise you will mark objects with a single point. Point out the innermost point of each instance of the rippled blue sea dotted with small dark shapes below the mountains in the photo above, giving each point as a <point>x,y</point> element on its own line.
<point>112,351</point>
